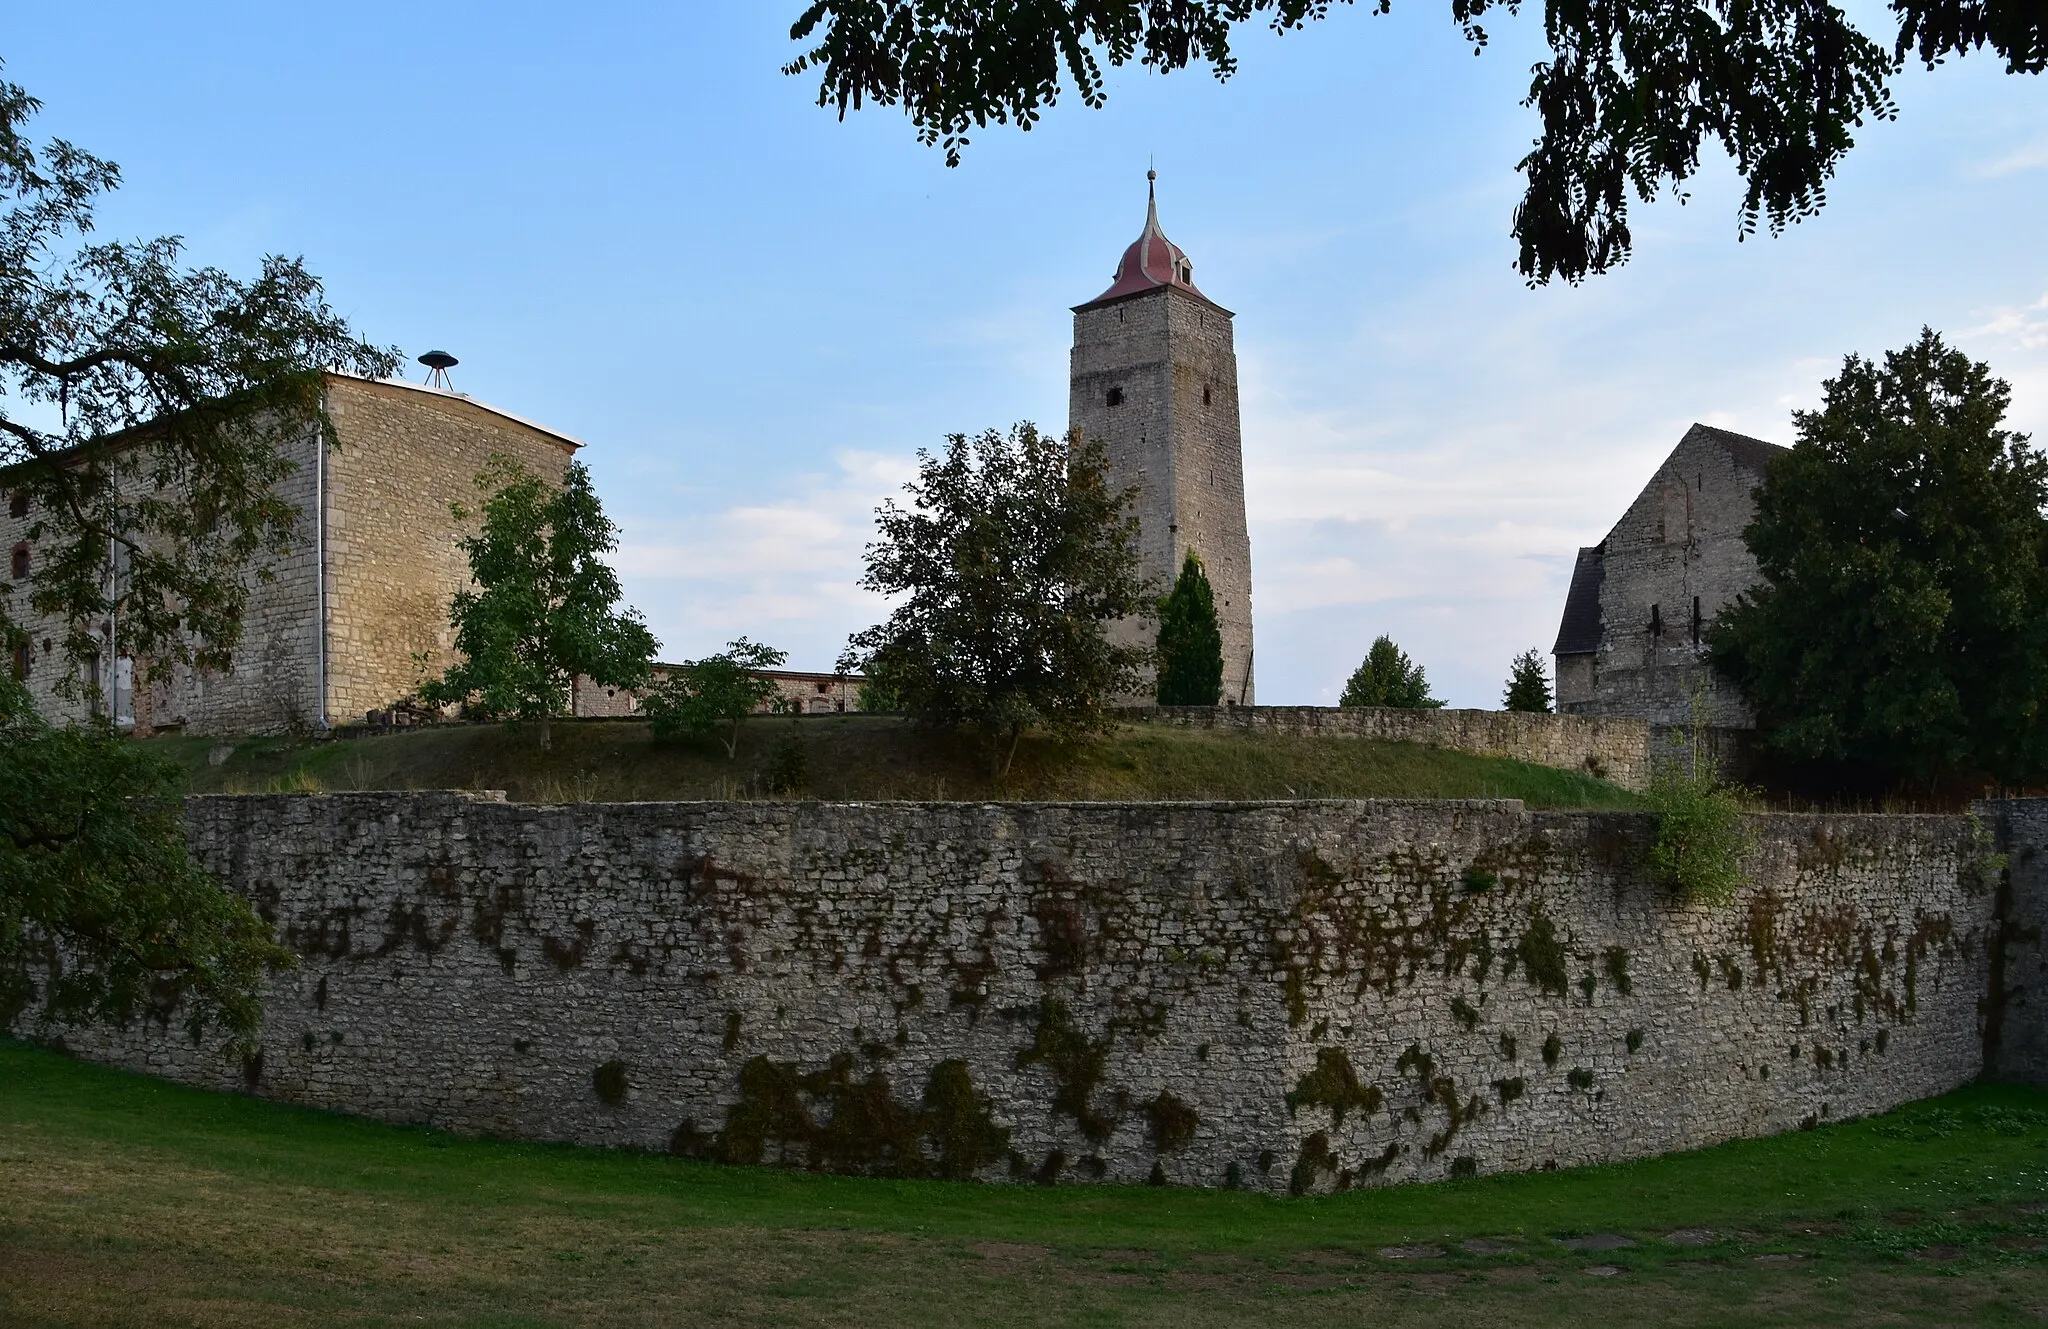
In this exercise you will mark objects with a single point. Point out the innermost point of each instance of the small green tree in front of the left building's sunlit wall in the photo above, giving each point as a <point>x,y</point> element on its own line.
<point>546,603</point>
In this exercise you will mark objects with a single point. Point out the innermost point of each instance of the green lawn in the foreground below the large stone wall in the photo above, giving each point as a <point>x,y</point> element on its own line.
<point>134,1203</point>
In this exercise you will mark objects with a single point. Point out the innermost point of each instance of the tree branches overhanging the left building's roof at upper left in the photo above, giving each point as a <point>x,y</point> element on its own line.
<point>146,409</point>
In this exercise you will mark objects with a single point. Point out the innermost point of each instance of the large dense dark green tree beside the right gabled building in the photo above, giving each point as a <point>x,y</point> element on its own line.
<point>1904,613</point>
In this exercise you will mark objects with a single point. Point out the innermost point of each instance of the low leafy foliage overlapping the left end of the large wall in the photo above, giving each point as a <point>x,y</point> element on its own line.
<point>103,912</point>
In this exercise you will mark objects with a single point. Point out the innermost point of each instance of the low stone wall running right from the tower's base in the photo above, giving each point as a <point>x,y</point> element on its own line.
<point>1613,748</point>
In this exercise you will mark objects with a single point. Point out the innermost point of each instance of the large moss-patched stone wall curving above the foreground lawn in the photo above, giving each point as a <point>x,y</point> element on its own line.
<point>1265,994</point>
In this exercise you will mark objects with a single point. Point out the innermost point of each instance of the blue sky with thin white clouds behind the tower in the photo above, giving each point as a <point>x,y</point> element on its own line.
<point>632,226</point>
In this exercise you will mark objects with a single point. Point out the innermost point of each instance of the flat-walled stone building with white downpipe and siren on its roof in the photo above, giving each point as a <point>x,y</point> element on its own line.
<point>357,611</point>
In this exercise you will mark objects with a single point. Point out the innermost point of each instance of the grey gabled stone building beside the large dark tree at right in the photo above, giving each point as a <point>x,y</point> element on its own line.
<point>1633,636</point>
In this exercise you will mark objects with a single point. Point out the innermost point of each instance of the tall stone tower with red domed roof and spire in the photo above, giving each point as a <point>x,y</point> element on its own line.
<point>1156,382</point>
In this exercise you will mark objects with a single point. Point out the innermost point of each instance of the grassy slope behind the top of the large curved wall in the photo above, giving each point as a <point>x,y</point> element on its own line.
<point>859,757</point>
